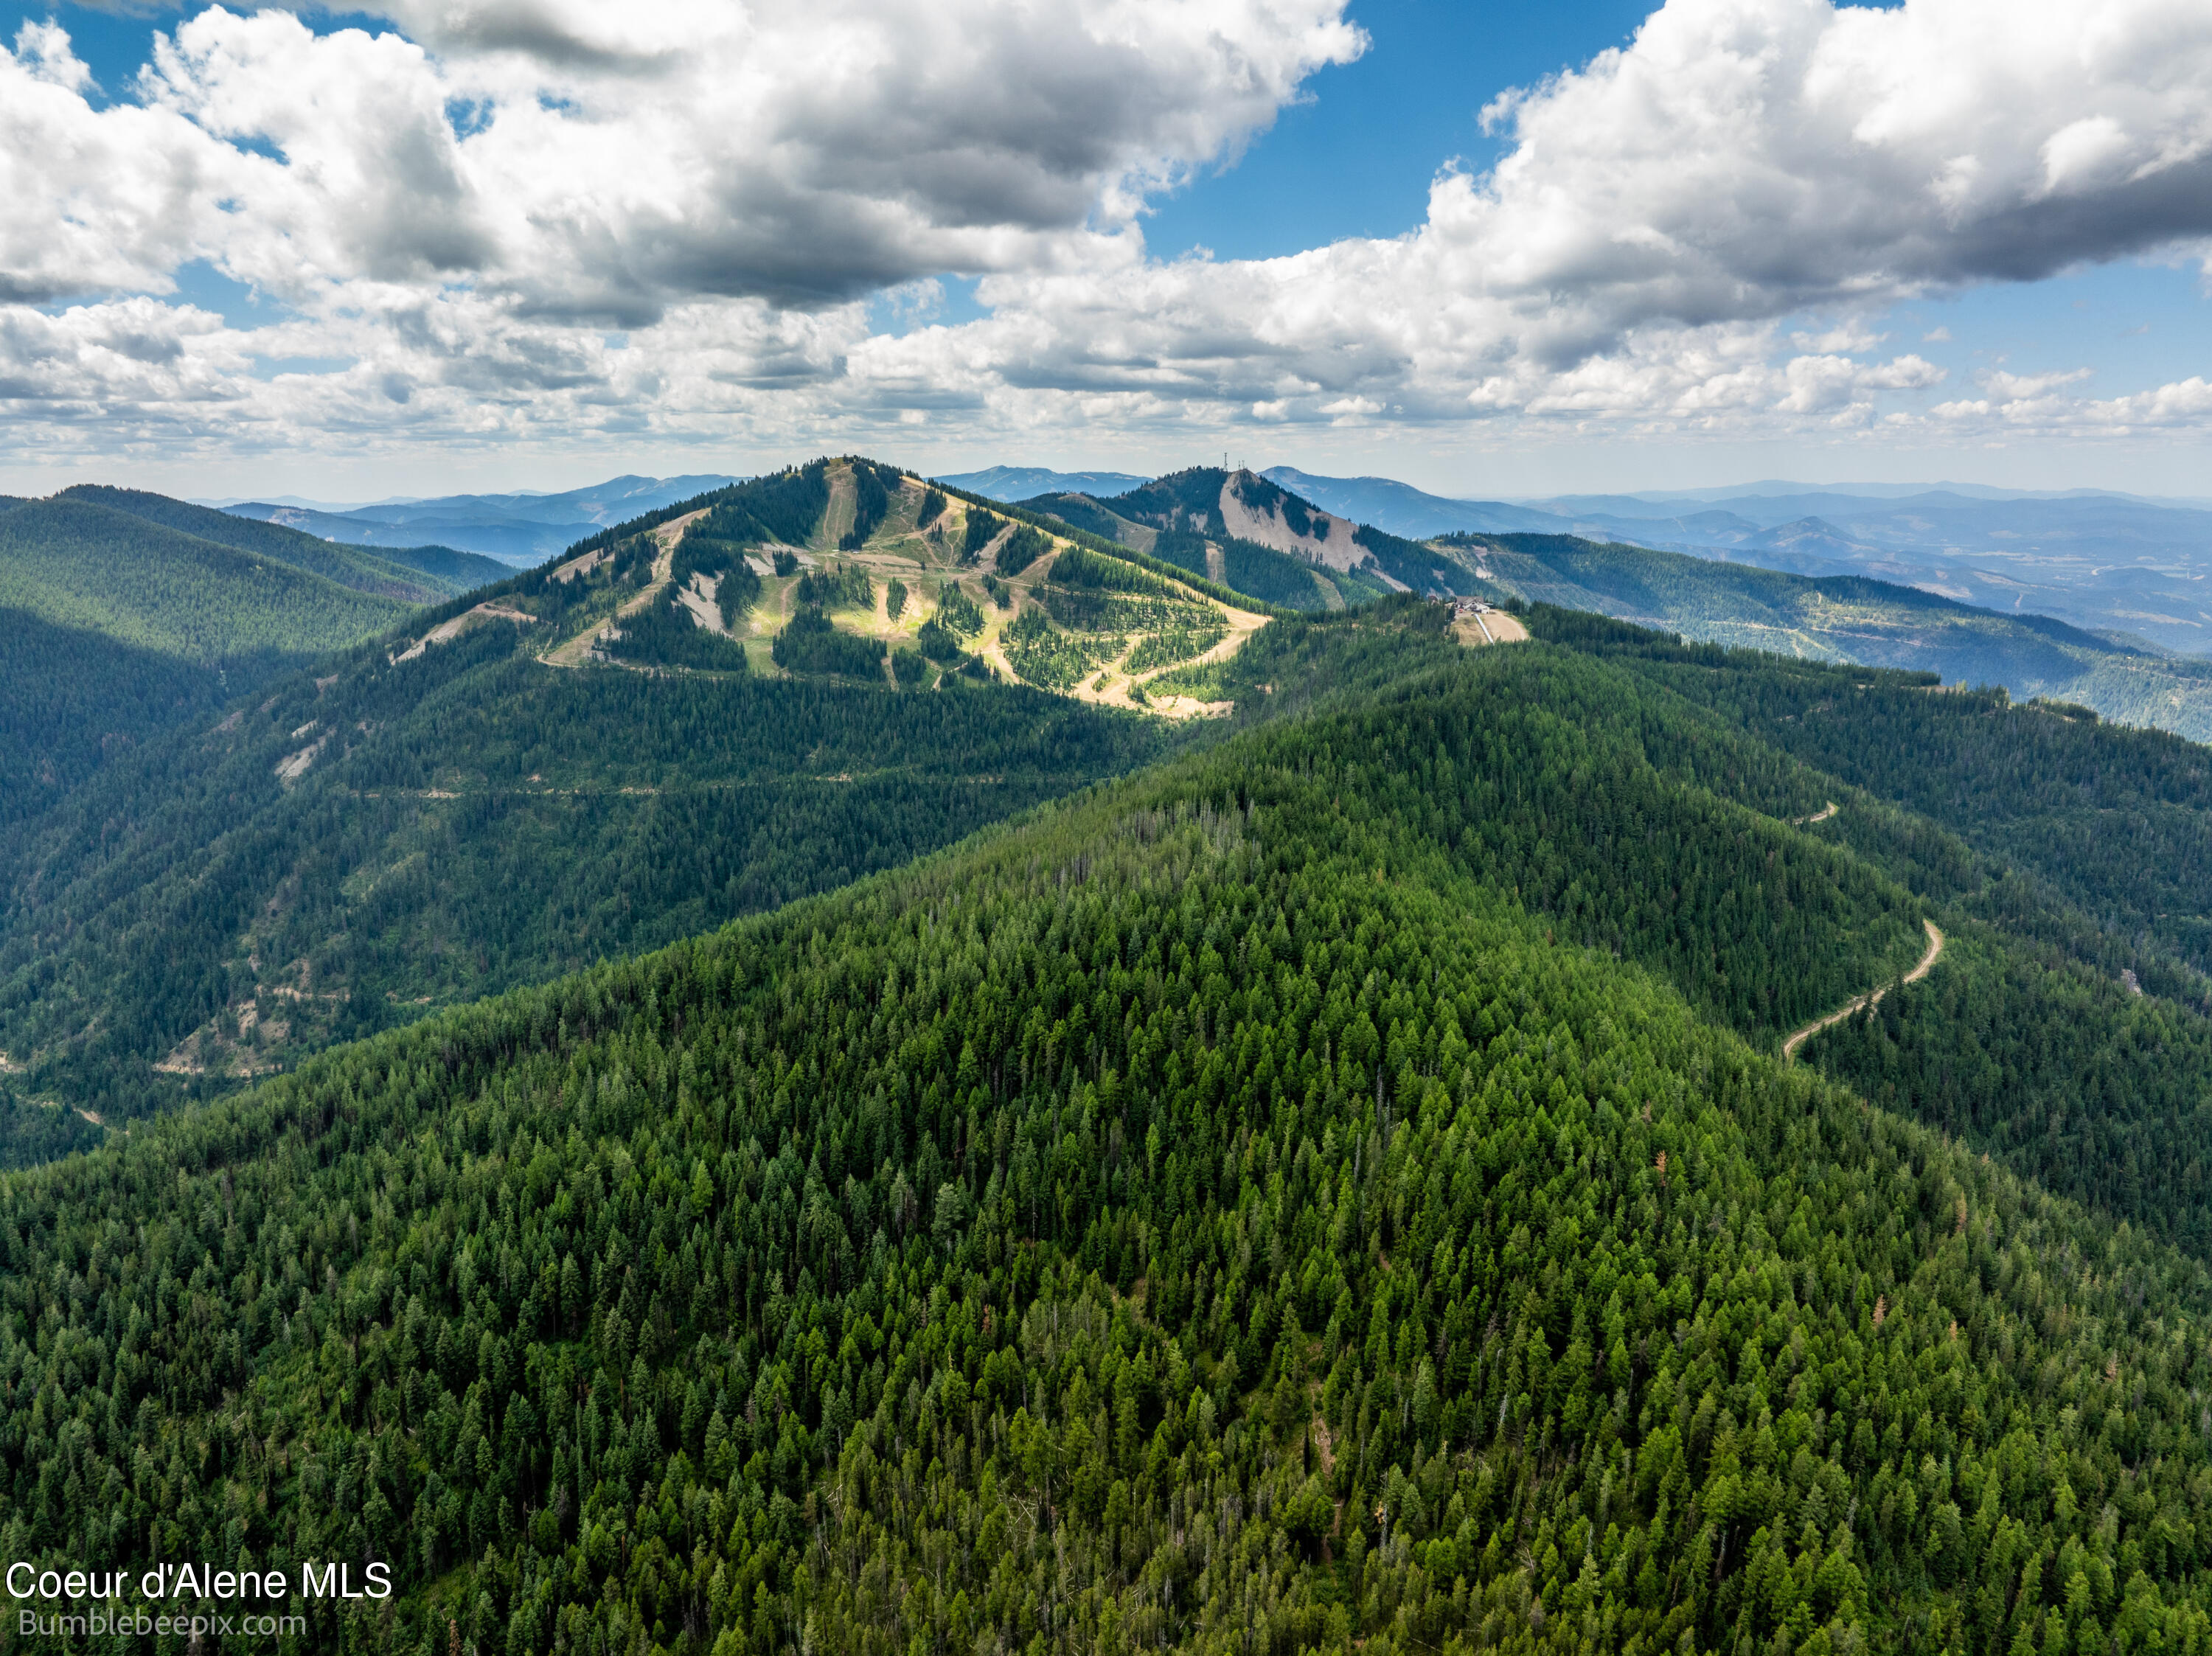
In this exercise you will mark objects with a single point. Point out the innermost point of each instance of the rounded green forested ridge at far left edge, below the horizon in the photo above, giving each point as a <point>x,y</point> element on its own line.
<point>81,565</point>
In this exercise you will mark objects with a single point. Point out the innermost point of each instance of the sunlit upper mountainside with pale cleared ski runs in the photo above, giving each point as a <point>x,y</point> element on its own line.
<point>855,572</point>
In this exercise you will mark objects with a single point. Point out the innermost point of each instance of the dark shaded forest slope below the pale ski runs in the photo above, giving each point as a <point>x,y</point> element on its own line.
<point>399,835</point>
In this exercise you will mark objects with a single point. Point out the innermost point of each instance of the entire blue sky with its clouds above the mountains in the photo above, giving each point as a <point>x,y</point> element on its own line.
<point>1698,264</point>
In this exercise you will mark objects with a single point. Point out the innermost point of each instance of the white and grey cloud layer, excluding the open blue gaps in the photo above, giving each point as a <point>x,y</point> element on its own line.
<point>665,220</point>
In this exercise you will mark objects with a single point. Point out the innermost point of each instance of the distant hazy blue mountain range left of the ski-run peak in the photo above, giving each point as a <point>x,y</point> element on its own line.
<point>517,530</point>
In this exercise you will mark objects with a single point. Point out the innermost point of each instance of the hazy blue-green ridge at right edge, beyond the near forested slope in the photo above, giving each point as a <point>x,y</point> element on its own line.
<point>1846,618</point>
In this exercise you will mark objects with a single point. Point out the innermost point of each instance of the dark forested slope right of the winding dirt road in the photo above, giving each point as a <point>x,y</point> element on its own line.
<point>2069,1029</point>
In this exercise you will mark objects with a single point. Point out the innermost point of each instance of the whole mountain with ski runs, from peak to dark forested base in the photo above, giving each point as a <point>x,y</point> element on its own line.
<point>481,801</point>
